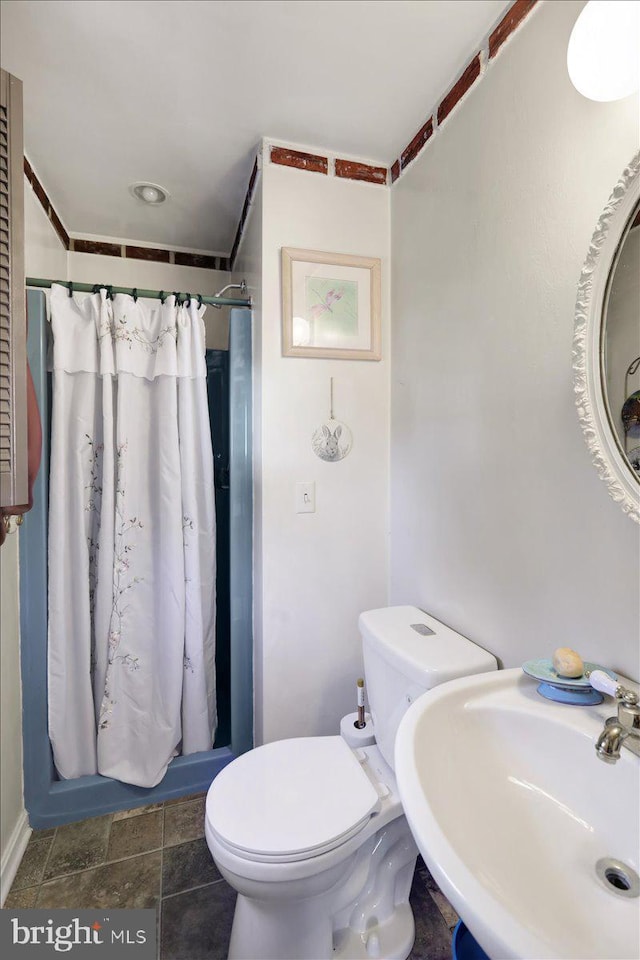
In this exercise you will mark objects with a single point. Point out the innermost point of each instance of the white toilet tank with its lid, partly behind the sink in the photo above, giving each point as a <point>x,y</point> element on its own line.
<point>407,652</point>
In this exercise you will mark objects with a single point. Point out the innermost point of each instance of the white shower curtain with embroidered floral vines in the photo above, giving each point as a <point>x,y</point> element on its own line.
<point>131,538</point>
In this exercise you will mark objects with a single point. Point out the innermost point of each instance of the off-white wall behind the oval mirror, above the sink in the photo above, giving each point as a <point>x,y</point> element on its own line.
<point>500,525</point>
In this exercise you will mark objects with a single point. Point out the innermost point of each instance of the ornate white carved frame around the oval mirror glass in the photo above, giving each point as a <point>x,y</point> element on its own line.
<point>593,288</point>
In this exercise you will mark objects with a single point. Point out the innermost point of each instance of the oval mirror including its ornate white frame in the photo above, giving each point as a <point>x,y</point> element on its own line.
<point>606,345</point>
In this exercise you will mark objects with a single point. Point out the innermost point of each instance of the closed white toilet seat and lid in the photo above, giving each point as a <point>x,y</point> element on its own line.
<point>291,800</point>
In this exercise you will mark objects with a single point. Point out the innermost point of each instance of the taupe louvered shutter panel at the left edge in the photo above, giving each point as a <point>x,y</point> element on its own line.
<point>13,328</point>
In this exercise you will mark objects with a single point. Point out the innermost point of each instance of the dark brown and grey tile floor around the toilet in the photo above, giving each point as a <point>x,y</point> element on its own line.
<point>156,856</point>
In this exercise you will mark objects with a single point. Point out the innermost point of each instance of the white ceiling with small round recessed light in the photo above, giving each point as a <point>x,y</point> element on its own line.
<point>180,92</point>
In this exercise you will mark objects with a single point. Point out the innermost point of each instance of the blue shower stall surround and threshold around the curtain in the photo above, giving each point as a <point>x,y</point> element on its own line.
<point>50,801</point>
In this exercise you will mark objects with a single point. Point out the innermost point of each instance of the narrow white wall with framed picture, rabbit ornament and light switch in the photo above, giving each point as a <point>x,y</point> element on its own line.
<point>319,570</point>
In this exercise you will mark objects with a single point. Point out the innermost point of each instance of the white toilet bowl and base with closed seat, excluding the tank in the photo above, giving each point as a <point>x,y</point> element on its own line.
<point>320,852</point>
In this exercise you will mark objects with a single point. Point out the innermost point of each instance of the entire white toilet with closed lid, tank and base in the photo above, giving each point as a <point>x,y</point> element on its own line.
<point>311,832</point>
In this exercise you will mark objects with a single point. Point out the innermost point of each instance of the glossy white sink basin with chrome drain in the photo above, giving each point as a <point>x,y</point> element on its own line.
<point>511,810</point>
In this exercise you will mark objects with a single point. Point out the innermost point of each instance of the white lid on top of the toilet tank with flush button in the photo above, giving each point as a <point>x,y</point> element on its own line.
<point>422,647</point>
